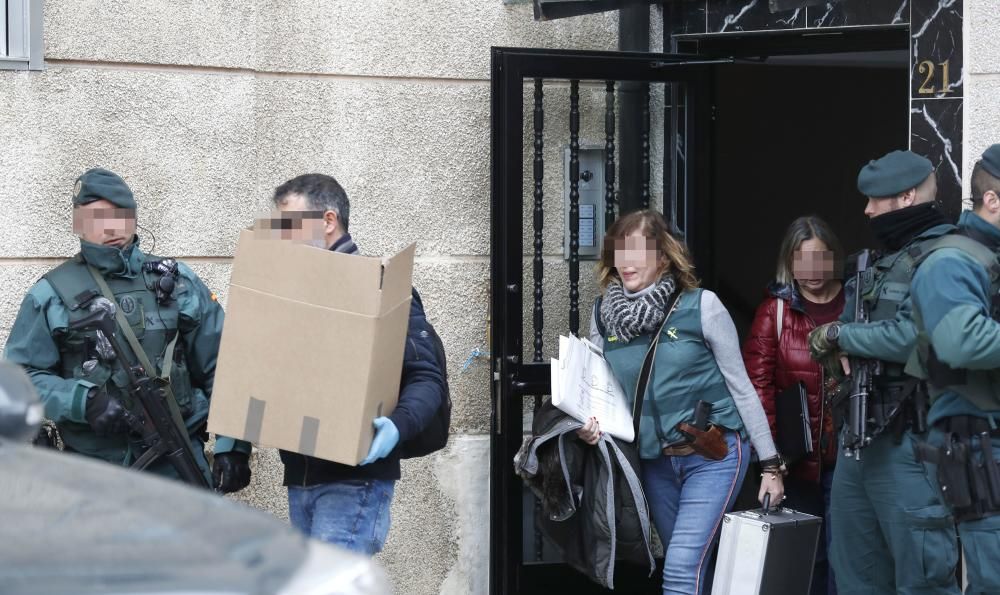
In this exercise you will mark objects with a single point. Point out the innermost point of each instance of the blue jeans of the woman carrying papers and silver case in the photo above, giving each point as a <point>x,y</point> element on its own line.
<point>688,496</point>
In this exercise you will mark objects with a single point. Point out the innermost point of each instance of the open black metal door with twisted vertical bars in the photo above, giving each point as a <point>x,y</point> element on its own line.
<point>522,561</point>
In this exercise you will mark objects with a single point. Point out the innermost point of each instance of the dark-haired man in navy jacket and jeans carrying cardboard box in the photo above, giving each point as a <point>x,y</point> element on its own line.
<point>337,503</point>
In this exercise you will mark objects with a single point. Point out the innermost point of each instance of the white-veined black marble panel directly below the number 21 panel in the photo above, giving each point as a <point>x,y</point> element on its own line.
<point>936,133</point>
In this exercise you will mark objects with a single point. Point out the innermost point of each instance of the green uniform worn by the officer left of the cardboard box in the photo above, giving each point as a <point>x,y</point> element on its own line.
<point>180,335</point>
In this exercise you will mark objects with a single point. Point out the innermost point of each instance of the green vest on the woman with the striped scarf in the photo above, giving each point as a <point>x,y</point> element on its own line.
<point>685,372</point>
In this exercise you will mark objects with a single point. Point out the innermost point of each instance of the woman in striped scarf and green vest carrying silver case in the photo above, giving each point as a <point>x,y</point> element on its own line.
<point>690,476</point>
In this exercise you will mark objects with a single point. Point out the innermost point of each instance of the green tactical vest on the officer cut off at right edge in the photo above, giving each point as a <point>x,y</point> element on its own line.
<point>980,387</point>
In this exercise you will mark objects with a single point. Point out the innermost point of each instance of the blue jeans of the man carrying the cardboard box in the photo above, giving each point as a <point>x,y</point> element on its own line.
<point>352,514</point>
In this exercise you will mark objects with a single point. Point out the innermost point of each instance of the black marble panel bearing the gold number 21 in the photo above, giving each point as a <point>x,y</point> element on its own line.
<point>937,62</point>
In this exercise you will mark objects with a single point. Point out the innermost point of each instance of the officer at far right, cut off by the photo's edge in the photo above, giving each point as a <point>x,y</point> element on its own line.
<point>955,307</point>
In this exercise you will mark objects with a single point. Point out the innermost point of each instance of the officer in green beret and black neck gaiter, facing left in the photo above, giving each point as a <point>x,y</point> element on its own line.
<point>890,531</point>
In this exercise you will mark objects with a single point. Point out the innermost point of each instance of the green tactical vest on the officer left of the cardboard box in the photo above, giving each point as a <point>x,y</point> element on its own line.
<point>154,326</point>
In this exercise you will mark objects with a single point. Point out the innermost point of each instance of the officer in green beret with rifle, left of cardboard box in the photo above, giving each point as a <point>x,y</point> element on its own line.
<point>174,318</point>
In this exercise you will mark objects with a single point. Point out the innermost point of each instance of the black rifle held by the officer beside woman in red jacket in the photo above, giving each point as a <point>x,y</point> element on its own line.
<point>863,372</point>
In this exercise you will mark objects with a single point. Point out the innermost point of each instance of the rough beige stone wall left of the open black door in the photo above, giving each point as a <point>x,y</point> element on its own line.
<point>204,106</point>
